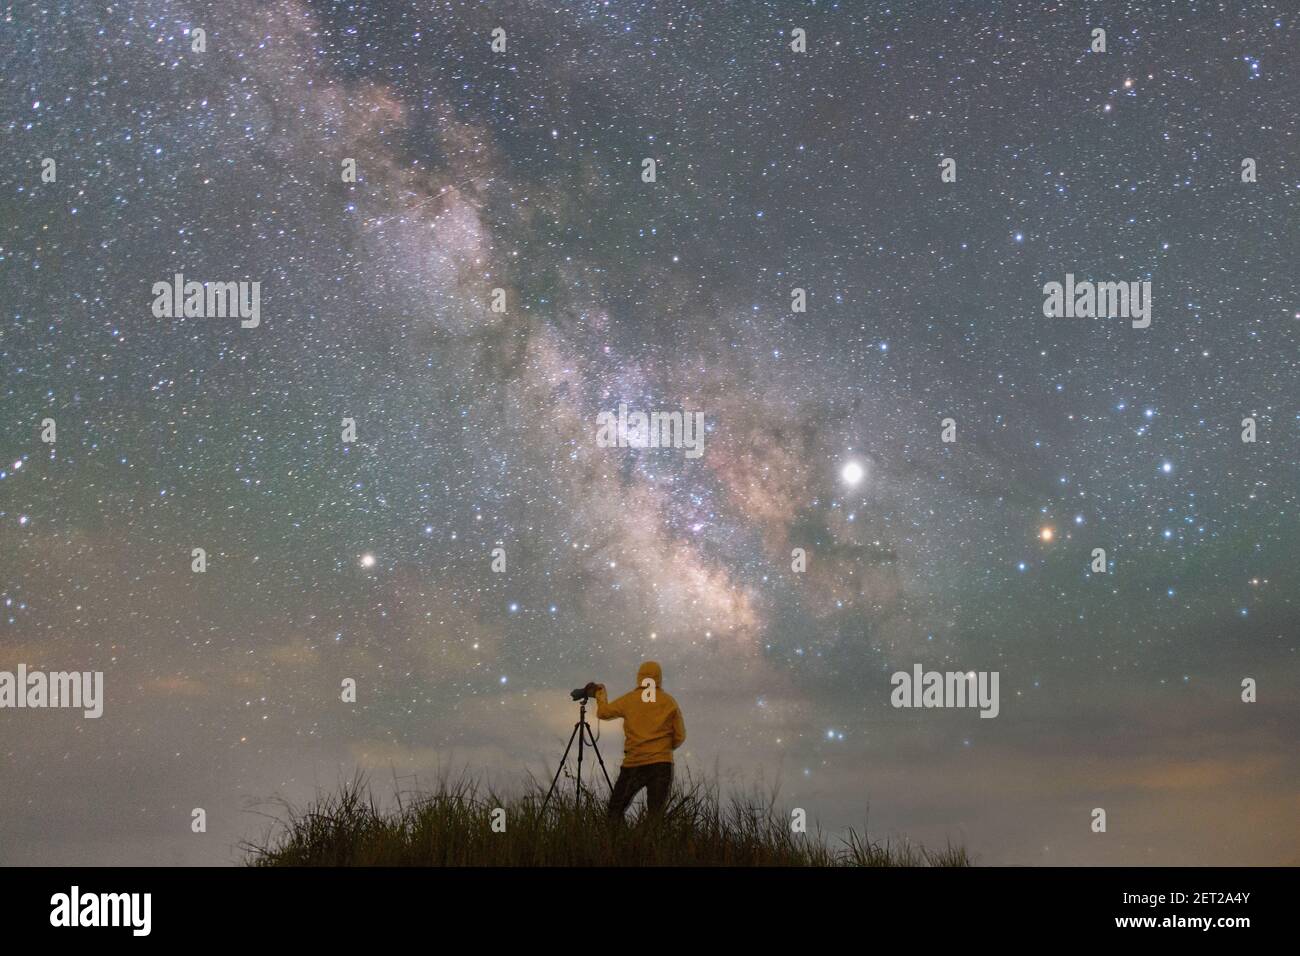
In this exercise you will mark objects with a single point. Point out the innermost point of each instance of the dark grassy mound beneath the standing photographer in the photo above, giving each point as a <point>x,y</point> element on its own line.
<point>452,827</point>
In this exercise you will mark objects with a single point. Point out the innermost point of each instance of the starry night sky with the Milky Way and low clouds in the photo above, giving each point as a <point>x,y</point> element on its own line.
<point>476,430</point>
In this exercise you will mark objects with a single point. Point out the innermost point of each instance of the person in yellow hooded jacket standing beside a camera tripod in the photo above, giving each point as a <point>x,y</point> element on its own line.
<point>652,730</point>
